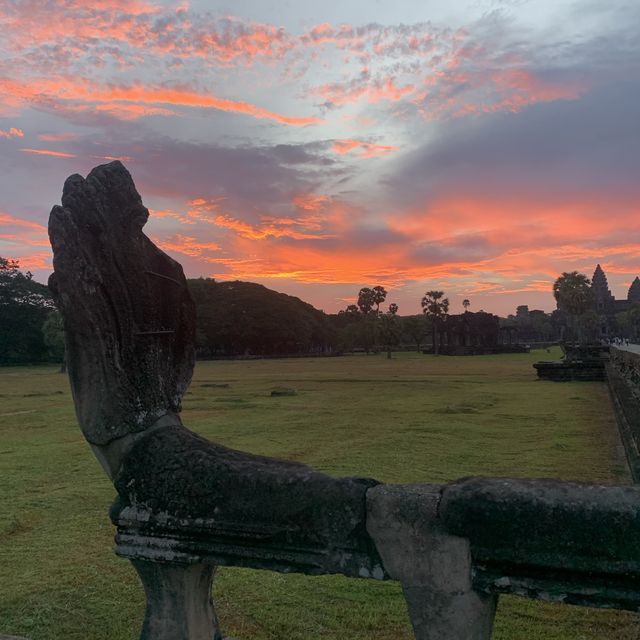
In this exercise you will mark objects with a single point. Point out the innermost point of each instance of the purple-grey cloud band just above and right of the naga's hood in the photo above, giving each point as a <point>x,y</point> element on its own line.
<point>252,179</point>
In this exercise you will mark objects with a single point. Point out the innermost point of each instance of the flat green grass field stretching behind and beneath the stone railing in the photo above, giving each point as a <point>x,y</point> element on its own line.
<point>412,418</point>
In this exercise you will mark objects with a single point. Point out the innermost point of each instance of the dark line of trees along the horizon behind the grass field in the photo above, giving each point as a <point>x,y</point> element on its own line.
<point>244,318</point>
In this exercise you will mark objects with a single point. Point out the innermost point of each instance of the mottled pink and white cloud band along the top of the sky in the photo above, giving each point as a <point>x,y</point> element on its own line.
<point>432,72</point>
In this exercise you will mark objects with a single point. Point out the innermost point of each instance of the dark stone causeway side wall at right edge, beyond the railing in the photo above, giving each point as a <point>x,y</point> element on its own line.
<point>623,376</point>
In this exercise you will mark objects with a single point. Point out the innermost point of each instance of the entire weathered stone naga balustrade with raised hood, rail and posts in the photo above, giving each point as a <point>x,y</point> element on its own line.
<point>186,505</point>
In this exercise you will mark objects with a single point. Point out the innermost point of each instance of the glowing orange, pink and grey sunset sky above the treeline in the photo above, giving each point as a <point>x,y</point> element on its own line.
<point>480,147</point>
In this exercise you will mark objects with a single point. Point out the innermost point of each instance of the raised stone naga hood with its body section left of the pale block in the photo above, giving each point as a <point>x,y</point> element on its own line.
<point>130,327</point>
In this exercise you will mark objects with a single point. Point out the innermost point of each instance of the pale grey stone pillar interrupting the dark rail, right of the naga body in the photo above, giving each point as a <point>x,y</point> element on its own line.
<point>433,567</point>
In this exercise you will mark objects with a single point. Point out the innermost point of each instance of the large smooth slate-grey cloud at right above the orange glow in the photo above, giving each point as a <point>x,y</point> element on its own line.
<point>560,147</point>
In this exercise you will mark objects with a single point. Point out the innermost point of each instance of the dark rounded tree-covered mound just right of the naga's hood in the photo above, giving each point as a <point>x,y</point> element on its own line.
<point>236,318</point>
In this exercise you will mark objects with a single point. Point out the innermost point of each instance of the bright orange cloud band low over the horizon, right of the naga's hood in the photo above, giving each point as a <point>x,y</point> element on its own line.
<point>491,247</point>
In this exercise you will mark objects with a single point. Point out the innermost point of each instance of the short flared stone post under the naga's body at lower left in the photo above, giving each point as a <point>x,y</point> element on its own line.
<point>179,603</point>
